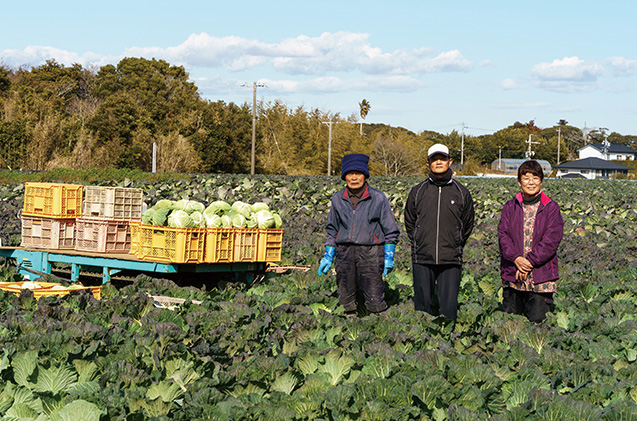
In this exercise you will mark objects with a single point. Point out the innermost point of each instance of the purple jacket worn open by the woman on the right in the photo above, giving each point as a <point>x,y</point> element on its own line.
<point>547,235</point>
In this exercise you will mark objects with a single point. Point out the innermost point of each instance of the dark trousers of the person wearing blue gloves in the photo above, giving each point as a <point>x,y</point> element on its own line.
<point>360,268</point>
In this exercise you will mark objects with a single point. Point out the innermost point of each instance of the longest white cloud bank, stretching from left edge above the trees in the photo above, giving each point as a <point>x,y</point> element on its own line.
<point>327,53</point>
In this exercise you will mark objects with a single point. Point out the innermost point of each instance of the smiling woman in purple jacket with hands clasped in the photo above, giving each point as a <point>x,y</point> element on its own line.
<point>529,233</point>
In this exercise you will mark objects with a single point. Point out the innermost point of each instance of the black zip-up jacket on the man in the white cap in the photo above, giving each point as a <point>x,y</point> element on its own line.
<point>438,222</point>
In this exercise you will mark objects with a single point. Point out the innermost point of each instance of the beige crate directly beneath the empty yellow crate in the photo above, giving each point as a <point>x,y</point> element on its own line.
<point>48,233</point>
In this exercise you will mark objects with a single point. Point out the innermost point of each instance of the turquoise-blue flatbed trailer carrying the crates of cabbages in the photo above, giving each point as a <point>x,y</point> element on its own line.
<point>30,261</point>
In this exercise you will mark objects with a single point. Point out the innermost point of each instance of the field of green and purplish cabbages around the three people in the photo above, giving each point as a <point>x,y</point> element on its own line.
<point>283,349</point>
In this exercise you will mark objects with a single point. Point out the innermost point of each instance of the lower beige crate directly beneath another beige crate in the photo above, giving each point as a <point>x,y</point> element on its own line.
<point>102,235</point>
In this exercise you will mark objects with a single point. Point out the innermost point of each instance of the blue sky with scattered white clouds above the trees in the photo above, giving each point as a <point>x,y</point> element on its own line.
<point>422,65</point>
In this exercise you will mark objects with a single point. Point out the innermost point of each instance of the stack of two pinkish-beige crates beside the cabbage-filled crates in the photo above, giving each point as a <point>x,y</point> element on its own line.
<point>105,223</point>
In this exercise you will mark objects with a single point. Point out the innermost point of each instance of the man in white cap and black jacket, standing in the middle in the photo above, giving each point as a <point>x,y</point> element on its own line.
<point>438,220</point>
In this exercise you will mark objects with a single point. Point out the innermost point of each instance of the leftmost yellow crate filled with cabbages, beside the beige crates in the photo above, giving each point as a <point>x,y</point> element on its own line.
<point>171,245</point>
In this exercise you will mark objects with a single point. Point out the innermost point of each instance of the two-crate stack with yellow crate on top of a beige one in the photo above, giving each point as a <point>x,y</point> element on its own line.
<point>49,215</point>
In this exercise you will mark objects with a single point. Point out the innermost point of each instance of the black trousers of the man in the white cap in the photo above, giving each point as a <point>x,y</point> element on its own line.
<point>446,278</point>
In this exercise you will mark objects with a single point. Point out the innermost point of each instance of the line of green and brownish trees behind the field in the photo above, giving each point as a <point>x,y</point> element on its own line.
<point>54,116</point>
